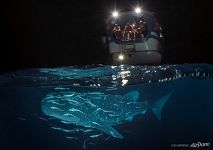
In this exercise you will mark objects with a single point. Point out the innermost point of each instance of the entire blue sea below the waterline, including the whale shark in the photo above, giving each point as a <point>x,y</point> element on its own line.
<point>107,107</point>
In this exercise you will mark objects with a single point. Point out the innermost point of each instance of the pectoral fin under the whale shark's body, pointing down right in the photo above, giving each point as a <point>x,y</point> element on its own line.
<point>107,129</point>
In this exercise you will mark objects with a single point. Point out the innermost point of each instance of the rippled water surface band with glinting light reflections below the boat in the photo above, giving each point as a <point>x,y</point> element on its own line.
<point>109,76</point>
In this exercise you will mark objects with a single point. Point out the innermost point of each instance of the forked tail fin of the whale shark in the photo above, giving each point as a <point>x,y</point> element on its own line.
<point>158,105</point>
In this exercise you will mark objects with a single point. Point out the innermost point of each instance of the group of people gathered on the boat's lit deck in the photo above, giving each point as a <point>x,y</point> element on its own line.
<point>130,31</point>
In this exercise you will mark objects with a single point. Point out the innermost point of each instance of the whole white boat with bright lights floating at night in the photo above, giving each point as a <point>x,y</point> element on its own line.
<point>134,37</point>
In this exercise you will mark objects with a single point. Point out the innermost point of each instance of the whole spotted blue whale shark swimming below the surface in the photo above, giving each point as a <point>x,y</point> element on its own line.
<point>99,110</point>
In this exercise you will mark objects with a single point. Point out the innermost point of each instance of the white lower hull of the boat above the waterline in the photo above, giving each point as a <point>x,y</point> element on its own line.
<point>147,52</point>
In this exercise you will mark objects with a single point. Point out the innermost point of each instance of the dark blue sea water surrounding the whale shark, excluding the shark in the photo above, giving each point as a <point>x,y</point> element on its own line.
<point>187,117</point>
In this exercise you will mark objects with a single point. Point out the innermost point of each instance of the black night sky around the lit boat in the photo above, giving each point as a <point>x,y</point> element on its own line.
<point>42,33</point>
